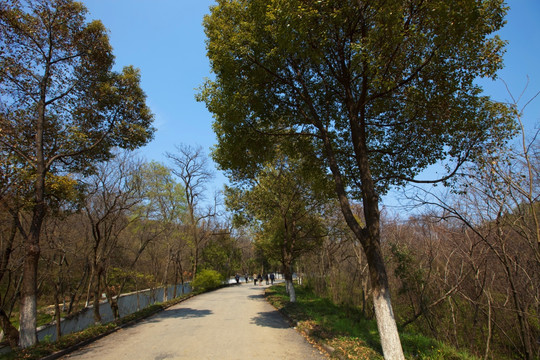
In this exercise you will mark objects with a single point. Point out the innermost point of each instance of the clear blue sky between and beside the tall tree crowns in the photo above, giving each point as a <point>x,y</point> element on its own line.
<point>165,40</point>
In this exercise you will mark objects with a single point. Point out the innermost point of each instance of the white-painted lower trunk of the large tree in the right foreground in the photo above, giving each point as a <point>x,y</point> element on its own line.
<point>386,324</point>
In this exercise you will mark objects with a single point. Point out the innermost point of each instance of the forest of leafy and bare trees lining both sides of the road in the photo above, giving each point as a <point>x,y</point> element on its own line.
<point>320,109</point>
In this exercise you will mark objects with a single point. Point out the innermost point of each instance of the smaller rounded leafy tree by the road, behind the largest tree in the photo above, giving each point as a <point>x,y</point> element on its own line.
<point>285,208</point>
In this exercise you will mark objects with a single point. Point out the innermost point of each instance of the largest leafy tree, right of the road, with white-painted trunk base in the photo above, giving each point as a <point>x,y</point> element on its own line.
<point>379,90</point>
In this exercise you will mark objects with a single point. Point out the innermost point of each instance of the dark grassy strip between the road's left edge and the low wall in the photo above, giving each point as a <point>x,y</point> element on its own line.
<point>46,348</point>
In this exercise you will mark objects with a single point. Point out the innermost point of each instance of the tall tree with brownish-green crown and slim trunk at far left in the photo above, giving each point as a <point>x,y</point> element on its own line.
<point>62,108</point>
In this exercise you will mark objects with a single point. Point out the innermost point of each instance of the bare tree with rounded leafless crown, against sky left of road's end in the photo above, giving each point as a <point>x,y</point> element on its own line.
<point>191,166</point>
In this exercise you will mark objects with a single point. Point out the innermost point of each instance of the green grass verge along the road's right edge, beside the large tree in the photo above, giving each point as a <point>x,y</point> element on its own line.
<point>346,334</point>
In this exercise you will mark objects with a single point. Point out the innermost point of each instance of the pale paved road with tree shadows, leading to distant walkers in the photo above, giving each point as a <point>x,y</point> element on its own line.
<point>231,323</point>
